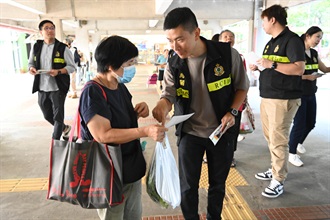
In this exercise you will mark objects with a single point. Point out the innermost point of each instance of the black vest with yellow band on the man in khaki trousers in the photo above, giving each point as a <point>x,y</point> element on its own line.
<point>274,84</point>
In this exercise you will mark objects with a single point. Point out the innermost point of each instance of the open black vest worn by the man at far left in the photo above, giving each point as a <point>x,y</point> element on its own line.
<point>58,62</point>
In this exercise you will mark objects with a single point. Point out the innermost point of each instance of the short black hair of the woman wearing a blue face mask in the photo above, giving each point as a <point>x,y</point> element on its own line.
<point>114,51</point>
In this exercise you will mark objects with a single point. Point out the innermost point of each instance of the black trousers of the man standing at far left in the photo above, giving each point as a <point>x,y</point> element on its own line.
<point>52,107</point>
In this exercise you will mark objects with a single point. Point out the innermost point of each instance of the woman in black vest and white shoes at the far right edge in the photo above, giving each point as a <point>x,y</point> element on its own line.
<point>305,118</point>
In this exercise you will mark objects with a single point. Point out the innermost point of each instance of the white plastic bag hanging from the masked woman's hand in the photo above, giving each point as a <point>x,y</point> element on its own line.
<point>167,175</point>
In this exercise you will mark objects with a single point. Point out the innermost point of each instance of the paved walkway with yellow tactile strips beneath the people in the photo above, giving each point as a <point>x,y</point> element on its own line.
<point>24,162</point>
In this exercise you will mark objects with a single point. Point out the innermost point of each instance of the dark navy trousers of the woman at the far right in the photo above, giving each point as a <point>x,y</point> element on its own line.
<point>303,123</point>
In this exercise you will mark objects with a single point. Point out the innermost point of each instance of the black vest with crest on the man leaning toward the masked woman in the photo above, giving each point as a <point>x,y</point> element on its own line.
<point>218,77</point>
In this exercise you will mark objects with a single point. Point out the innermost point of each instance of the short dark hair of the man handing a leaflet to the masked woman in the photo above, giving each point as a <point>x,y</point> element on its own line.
<point>181,16</point>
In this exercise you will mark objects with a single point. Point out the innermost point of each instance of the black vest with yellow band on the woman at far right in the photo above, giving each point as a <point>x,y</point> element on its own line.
<point>311,66</point>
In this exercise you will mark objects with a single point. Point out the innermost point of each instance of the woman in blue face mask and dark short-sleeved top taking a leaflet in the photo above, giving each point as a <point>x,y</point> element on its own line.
<point>114,119</point>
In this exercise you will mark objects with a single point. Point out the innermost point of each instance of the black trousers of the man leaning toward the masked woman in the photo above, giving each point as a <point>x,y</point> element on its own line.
<point>219,157</point>
